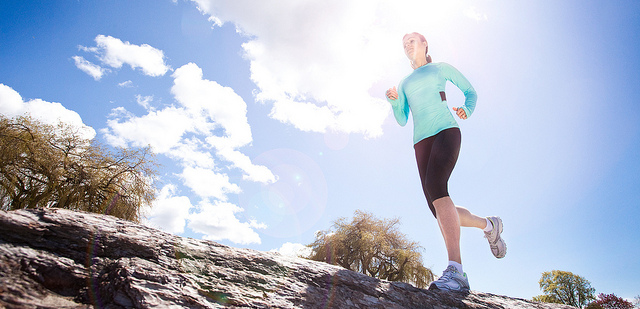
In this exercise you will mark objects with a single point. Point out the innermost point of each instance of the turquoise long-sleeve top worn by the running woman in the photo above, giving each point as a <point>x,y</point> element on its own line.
<point>419,93</point>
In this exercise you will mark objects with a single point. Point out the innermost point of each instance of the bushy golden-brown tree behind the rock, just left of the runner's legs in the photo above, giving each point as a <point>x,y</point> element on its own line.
<point>373,247</point>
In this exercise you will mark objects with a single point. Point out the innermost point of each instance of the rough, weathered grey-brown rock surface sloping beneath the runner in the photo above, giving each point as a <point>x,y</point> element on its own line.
<point>58,258</point>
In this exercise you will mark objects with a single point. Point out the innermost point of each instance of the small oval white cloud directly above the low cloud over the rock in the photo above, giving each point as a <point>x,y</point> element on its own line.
<point>207,183</point>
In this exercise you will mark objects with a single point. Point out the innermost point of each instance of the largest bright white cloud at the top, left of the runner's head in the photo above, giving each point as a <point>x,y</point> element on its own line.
<point>303,59</point>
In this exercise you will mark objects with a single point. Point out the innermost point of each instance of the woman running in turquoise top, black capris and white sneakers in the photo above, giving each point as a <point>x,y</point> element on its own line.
<point>436,138</point>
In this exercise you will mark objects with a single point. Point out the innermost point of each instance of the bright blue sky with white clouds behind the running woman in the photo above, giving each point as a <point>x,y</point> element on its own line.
<point>270,122</point>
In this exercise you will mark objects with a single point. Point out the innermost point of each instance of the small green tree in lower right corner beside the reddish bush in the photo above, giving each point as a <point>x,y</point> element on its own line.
<point>563,287</point>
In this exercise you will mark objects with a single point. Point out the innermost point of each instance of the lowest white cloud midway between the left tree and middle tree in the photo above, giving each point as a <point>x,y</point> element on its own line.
<point>218,221</point>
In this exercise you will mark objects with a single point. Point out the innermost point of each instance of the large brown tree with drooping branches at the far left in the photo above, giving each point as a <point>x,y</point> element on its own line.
<point>53,166</point>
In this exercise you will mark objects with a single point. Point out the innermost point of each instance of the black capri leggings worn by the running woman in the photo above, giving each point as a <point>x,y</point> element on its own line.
<point>437,156</point>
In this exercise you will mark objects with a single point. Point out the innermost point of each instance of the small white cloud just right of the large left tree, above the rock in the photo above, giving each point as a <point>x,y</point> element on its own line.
<point>169,212</point>
